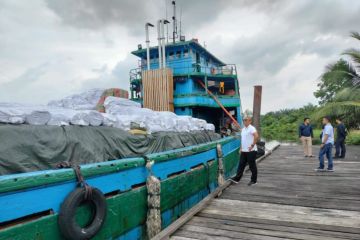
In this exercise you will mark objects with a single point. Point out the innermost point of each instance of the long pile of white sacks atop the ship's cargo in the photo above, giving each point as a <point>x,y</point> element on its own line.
<point>80,110</point>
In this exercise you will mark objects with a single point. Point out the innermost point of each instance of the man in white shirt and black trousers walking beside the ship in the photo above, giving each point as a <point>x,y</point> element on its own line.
<point>248,150</point>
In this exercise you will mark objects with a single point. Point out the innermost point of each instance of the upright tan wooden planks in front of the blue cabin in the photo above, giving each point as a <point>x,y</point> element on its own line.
<point>158,89</point>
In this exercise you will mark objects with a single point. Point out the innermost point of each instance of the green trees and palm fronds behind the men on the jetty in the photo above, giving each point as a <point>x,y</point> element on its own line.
<point>339,96</point>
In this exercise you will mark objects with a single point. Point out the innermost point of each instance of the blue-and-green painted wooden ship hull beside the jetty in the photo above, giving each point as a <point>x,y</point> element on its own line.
<point>30,202</point>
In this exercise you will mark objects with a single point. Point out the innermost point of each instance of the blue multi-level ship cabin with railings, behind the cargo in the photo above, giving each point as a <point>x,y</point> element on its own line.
<point>190,63</point>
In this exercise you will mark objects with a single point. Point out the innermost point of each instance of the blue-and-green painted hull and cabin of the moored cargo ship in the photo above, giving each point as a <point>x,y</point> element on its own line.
<point>33,204</point>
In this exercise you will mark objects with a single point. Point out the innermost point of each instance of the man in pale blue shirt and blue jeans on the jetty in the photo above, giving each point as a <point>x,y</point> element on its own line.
<point>327,142</point>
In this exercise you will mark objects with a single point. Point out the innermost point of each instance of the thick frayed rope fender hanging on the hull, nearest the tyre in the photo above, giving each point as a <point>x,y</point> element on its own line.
<point>153,185</point>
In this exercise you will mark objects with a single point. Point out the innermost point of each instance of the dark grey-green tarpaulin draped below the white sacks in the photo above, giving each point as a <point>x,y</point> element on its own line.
<point>26,148</point>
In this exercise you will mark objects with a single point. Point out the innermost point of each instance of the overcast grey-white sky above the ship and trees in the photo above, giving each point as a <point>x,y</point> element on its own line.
<point>53,48</point>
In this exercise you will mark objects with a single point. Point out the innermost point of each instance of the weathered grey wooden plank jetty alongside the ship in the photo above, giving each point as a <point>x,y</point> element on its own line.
<point>290,201</point>
